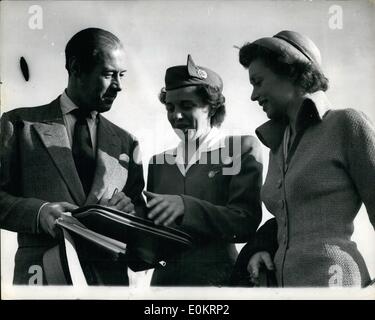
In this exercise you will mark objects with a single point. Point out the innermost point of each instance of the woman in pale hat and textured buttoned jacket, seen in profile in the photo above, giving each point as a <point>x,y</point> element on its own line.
<point>321,168</point>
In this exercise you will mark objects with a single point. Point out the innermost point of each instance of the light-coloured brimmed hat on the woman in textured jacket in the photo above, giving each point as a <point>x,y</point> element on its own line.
<point>294,47</point>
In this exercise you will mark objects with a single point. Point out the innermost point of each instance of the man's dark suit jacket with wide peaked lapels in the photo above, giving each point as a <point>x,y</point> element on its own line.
<point>37,167</point>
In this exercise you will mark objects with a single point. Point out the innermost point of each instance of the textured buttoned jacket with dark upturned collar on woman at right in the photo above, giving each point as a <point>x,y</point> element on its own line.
<point>316,193</point>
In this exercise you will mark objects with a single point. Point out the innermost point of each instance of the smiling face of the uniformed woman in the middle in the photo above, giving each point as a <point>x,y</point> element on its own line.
<point>187,113</point>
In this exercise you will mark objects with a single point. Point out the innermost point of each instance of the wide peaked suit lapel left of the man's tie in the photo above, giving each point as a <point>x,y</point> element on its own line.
<point>52,133</point>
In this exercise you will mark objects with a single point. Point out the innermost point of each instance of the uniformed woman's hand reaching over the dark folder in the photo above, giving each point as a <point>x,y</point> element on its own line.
<point>166,208</point>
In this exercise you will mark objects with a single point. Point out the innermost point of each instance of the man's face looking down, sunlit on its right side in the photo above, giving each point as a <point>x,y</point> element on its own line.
<point>97,88</point>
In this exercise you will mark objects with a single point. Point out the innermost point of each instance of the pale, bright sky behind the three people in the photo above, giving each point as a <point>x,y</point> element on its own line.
<point>159,34</point>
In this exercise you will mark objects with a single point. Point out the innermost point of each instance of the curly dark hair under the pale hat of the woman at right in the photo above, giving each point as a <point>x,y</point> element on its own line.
<point>307,76</point>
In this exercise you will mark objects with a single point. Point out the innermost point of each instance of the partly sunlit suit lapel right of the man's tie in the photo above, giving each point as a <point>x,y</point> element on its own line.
<point>108,152</point>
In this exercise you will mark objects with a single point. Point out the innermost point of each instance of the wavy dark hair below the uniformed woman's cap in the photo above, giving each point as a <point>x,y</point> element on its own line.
<point>210,95</point>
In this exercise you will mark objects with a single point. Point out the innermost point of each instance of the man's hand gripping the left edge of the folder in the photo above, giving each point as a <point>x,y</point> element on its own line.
<point>52,211</point>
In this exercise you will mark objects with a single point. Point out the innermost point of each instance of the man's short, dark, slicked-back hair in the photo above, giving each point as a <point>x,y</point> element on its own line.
<point>87,46</point>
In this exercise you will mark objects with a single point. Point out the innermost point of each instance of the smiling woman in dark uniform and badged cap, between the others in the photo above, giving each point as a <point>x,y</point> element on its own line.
<point>208,186</point>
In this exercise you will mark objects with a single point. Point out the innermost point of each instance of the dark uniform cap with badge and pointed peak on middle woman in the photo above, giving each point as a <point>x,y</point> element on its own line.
<point>191,75</point>
